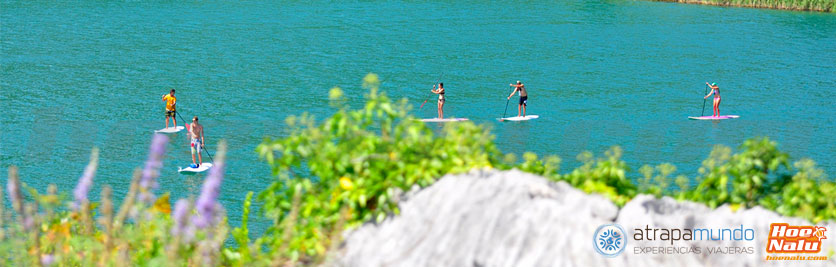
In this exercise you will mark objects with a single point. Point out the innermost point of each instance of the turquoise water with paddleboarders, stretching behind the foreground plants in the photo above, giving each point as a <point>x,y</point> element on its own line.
<point>599,73</point>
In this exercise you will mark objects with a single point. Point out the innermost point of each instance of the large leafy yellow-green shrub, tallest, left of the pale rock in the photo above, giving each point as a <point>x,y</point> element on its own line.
<point>353,166</point>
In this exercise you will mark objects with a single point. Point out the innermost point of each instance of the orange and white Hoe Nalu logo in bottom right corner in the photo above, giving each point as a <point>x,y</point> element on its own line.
<point>784,238</point>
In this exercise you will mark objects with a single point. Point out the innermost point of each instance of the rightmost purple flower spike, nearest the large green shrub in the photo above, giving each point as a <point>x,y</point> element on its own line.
<point>207,203</point>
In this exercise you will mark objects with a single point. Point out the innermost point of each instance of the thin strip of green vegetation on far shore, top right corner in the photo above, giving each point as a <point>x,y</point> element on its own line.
<point>802,5</point>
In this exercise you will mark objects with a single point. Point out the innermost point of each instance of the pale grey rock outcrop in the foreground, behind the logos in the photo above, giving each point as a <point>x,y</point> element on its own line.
<point>511,218</point>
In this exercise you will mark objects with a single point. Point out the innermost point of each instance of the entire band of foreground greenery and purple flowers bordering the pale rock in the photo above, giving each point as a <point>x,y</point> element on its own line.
<point>351,168</point>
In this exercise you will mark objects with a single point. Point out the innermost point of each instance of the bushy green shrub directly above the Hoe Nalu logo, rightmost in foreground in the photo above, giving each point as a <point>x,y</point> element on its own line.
<point>760,175</point>
